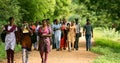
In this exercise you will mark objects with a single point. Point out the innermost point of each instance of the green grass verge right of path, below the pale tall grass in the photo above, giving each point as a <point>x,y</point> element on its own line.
<point>109,50</point>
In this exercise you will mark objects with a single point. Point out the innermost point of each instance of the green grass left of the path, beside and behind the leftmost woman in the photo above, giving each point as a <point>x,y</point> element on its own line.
<point>3,52</point>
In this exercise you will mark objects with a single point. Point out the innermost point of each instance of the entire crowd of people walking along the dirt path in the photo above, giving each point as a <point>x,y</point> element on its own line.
<point>61,35</point>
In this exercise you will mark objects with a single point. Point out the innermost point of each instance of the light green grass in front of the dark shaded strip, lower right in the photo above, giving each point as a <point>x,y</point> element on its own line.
<point>109,55</point>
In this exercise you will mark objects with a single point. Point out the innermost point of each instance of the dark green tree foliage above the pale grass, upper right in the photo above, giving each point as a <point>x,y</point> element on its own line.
<point>100,12</point>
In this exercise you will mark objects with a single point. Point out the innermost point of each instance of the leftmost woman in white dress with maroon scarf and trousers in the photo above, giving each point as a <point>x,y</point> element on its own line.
<point>10,39</point>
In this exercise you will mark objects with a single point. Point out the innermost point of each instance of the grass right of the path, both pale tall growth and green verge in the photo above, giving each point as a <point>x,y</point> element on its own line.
<point>107,45</point>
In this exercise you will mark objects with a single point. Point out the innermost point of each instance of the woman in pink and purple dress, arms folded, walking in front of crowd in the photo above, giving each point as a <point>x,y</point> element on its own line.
<point>44,43</point>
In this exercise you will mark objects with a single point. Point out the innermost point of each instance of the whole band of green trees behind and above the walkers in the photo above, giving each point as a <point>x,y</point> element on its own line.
<point>99,11</point>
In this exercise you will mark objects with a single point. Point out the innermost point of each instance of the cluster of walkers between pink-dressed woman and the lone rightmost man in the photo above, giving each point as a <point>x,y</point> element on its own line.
<point>64,34</point>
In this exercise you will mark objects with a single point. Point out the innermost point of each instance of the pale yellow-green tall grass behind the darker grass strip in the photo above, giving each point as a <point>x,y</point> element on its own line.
<point>107,33</point>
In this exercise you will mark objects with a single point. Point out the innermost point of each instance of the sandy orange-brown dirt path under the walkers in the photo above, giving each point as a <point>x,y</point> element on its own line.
<point>80,56</point>
